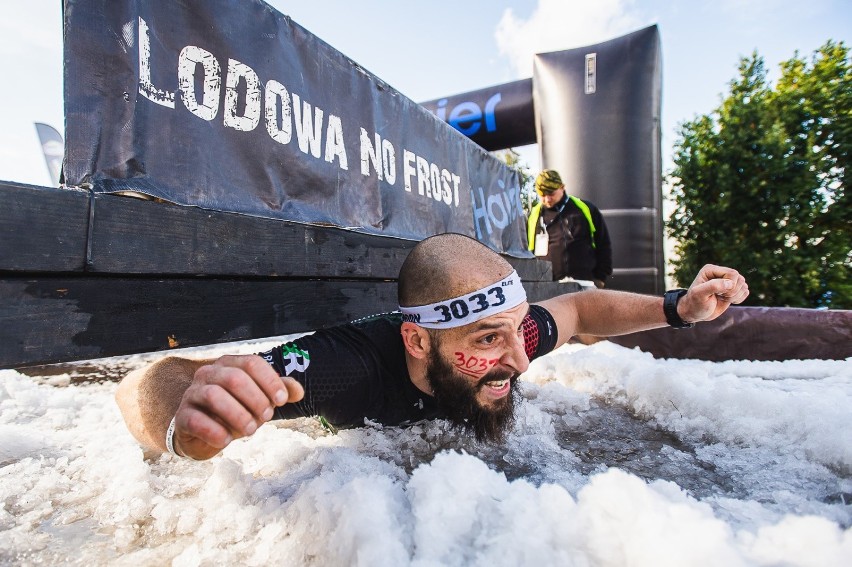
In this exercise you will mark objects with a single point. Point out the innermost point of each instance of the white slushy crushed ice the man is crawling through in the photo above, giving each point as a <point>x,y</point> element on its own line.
<point>616,459</point>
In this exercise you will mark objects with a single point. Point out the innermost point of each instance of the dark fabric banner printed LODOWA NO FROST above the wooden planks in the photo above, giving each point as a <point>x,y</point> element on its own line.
<point>233,106</point>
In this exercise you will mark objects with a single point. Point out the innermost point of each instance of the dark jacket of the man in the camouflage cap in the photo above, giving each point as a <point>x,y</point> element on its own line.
<point>570,244</point>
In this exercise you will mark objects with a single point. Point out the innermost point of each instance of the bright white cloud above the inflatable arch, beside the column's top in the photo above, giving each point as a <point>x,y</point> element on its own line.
<point>562,24</point>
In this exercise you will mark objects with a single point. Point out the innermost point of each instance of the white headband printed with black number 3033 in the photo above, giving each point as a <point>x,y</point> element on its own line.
<point>470,307</point>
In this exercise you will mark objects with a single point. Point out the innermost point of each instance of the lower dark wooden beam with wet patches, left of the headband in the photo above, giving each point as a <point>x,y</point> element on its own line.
<point>54,319</point>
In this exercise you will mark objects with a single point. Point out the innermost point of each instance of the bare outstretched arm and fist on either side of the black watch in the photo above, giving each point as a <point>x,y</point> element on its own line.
<point>610,313</point>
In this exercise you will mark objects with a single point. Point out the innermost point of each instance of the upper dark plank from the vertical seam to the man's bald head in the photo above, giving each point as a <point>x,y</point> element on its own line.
<point>133,236</point>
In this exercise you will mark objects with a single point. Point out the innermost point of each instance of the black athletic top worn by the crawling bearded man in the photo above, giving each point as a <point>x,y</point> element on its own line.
<point>357,371</point>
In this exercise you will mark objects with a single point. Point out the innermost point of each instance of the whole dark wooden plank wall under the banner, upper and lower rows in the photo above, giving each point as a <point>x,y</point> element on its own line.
<point>86,275</point>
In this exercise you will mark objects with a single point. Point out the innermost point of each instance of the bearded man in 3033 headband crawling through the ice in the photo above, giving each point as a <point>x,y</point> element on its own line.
<point>454,350</point>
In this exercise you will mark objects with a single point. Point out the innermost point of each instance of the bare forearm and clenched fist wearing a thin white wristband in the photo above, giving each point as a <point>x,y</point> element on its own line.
<point>211,402</point>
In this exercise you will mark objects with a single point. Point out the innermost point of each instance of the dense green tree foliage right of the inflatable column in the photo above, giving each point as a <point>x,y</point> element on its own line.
<point>760,184</point>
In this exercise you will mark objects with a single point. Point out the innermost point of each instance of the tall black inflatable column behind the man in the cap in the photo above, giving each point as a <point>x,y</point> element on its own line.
<point>597,112</point>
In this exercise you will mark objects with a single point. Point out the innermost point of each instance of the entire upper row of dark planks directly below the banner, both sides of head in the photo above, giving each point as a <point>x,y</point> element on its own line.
<point>49,230</point>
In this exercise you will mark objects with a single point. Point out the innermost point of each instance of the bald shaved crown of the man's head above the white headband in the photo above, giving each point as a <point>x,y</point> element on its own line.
<point>448,265</point>
